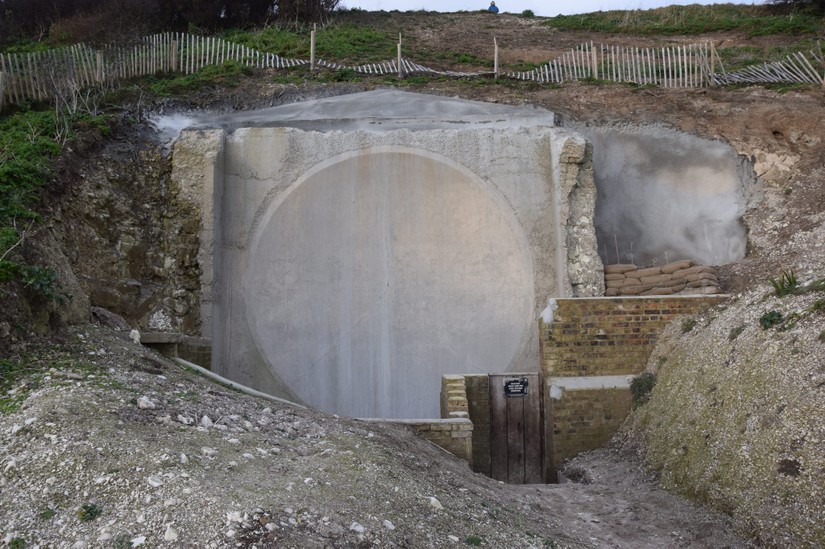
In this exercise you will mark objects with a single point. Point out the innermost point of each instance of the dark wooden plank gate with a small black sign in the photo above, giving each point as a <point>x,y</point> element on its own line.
<point>517,428</point>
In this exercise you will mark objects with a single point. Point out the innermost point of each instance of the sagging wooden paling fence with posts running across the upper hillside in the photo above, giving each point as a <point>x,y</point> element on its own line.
<point>65,71</point>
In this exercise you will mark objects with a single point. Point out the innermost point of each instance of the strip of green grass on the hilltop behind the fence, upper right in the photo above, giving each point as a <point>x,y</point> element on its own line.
<point>695,19</point>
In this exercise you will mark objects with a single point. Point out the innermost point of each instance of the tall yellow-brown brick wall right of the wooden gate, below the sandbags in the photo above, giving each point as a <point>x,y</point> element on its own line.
<point>590,351</point>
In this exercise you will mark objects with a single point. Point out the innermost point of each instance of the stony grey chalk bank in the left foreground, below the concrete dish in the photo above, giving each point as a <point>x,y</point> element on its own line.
<point>116,446</point>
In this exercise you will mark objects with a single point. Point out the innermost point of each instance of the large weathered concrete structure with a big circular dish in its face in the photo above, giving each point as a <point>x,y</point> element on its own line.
<point>353,268</point>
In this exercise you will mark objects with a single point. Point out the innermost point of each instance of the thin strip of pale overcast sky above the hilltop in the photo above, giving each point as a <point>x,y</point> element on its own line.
<point>545,8</point>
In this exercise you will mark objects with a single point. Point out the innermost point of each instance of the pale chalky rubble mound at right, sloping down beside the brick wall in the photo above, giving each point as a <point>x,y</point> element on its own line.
<point>736,417</point>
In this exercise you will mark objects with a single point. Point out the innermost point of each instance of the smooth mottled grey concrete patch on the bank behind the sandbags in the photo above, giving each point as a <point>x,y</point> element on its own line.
<point>666,195</point>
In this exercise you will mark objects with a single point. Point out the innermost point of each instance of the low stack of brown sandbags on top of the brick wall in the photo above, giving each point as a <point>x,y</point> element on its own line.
<point>684,277</point>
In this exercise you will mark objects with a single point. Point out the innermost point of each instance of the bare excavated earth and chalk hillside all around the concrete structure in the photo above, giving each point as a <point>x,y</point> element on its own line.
<point>107,444</point>
